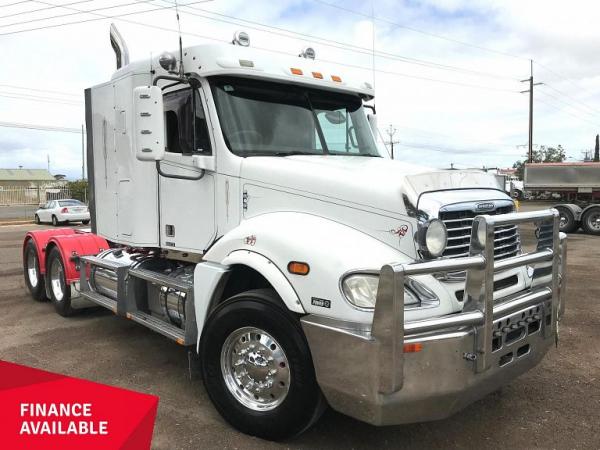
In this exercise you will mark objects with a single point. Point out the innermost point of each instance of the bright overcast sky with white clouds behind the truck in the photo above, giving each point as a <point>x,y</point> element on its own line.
<point>449,102</point>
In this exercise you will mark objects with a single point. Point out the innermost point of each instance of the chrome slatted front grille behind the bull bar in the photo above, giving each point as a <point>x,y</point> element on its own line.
<point>459,222</point>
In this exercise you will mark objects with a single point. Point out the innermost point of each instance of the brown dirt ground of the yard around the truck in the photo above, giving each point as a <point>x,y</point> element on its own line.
<point>554,406</point>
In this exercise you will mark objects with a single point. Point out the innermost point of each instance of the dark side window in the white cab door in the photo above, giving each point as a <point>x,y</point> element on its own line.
<point>186,131</point>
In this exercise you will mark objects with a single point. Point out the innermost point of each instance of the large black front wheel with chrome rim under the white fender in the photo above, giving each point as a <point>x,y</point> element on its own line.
<point>257,367</point>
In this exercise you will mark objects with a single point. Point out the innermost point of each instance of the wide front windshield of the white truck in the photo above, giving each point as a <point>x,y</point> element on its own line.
<point>261,118</point>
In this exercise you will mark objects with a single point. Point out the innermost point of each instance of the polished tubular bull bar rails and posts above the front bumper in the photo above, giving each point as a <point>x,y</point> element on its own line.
<point>389,328</point>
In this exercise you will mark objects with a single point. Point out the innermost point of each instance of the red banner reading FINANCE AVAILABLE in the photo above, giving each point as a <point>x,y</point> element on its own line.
<point>40,409</point>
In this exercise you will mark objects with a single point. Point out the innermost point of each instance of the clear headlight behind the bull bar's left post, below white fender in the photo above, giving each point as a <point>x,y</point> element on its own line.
<point>360,291</point>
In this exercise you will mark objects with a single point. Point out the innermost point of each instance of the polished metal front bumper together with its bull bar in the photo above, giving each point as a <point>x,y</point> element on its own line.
<point>400,372</point>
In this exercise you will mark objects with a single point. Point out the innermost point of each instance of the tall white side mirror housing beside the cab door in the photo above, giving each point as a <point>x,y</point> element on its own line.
<point>148,123</point>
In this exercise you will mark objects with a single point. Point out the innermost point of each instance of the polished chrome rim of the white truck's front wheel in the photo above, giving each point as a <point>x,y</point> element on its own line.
<point>255,369</point>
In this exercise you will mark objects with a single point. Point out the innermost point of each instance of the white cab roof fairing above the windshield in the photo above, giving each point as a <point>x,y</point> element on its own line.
<point>226,59</point>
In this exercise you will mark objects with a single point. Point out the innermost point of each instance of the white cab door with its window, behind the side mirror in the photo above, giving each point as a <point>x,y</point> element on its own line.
<point>188,178</point>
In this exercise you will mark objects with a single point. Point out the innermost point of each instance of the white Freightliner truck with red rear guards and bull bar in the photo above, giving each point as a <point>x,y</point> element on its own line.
<point>241,207</point>
